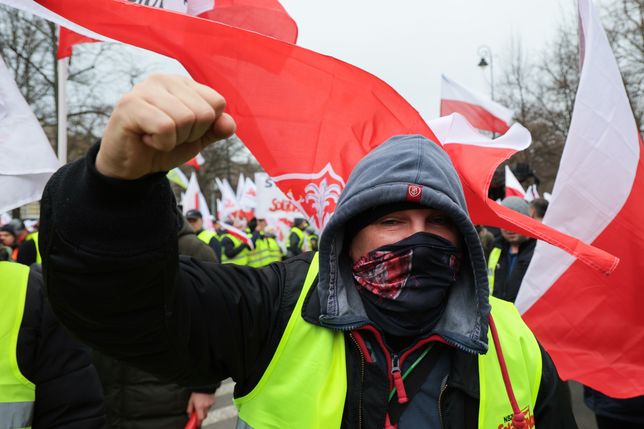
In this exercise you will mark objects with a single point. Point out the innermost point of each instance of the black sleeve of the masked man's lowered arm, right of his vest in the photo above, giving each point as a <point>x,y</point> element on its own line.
<point>554,405</point>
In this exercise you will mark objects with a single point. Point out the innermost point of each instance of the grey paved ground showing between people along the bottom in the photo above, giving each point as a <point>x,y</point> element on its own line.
<point>223,416</point>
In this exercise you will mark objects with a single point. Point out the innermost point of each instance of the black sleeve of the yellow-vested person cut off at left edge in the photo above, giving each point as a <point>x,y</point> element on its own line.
<point>68,390</point>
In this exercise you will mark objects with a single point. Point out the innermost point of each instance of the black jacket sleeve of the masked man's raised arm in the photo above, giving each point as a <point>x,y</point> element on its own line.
<point>114,278</point>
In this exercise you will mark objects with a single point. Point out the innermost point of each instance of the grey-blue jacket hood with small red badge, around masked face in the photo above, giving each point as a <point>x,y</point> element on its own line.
<point>405,169</point>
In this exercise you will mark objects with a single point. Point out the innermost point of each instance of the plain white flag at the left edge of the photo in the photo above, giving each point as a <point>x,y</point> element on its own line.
<point>26,157</point>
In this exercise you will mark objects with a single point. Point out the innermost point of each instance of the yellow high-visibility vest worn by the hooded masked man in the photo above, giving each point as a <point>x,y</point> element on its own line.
<point>305,384</point>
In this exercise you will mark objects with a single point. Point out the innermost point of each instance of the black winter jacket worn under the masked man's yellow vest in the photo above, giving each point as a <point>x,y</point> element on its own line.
<point>196,322</point>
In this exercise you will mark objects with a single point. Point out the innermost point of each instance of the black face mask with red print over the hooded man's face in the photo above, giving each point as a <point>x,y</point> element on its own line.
<point>404,285</point>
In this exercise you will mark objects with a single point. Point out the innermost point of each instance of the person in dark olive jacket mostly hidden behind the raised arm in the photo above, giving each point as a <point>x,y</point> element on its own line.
<point>136,399</point>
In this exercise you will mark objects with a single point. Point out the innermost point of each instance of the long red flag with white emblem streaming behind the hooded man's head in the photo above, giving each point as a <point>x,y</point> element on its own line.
<point>295,107</point>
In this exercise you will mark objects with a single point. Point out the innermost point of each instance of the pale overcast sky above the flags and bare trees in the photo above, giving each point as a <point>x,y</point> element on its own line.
<point>409,43</point>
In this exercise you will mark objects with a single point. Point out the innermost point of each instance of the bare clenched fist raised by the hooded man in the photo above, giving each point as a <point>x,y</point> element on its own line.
<point>162,123</point>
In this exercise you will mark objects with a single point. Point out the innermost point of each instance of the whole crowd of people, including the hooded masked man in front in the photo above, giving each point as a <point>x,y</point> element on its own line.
<point>399,316</point>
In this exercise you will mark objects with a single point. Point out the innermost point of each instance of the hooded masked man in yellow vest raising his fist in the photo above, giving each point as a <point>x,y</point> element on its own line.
<point>389,325</point>
